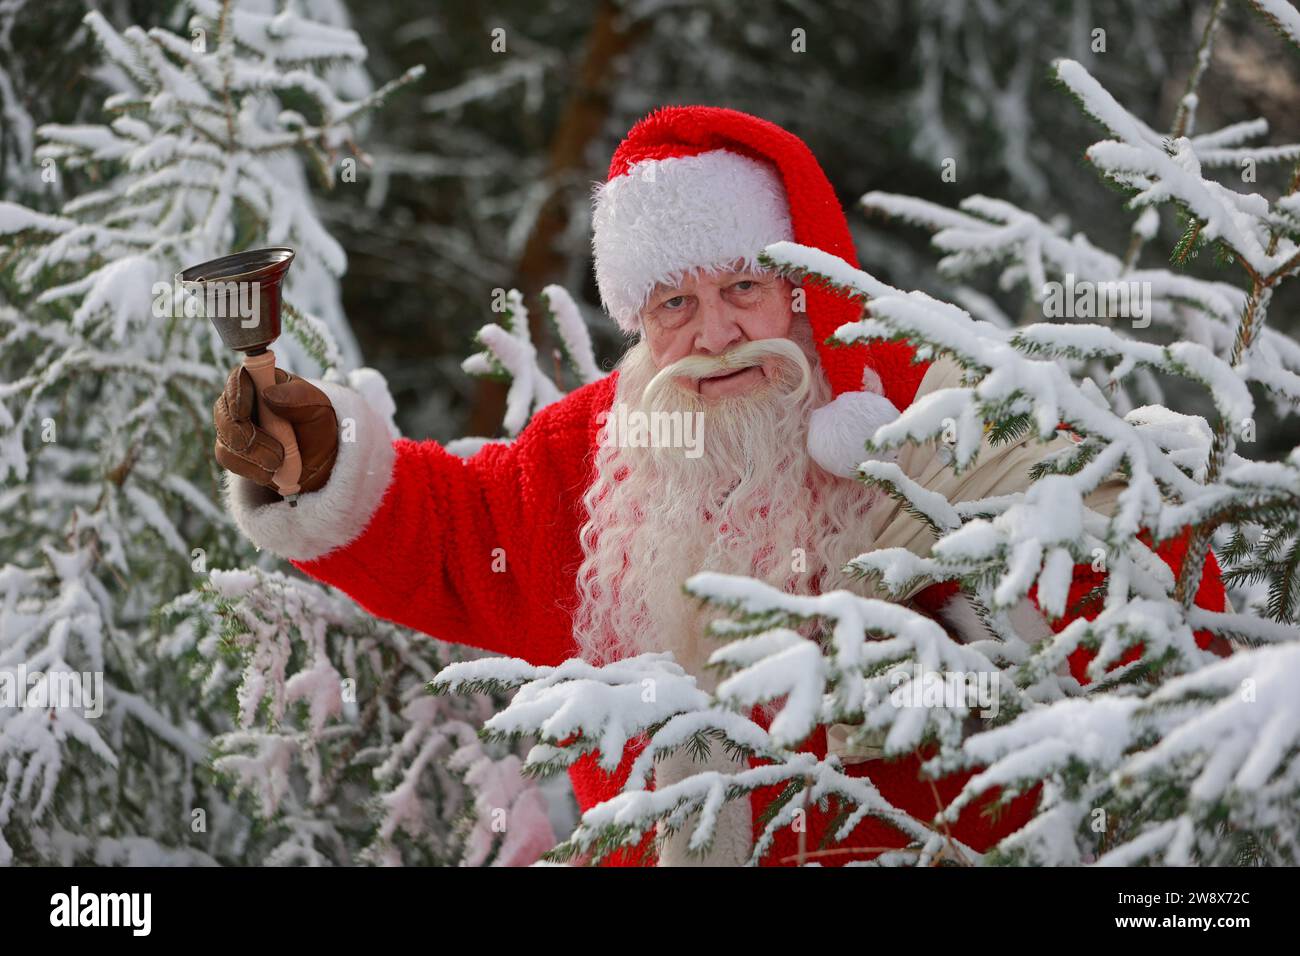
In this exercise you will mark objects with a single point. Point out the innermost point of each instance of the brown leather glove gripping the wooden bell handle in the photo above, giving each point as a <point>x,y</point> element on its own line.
<point>253,453</point>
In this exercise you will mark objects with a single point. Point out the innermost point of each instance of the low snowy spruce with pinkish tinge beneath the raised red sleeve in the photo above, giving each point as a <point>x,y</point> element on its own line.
<point>336,743</point>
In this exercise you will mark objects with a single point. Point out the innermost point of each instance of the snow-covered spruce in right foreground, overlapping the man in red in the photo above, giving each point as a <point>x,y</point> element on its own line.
<point>1159,751</point>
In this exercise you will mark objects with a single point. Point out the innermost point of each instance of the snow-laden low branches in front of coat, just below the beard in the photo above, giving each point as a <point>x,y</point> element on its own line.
<point>877,654</point>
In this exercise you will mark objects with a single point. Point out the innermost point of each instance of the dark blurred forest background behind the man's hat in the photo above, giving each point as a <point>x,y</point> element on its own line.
<point>483,171</point>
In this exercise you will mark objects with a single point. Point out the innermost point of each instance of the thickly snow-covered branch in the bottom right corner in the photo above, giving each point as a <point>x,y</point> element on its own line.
<point>1229,734</point>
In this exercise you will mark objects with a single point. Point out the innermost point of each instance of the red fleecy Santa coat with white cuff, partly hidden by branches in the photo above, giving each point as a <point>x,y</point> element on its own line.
<point>417,535</point>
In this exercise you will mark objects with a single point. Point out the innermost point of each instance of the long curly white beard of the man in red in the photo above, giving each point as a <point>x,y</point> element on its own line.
<point>753,503</point>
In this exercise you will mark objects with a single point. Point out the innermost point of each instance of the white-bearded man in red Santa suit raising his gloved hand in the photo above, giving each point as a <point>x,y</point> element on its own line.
<point>574,540</point>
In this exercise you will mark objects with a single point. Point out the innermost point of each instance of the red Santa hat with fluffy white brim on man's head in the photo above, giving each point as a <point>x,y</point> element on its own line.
<point>704,187</point>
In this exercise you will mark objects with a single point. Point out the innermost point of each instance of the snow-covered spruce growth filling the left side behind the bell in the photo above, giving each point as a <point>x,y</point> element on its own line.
<point>109,492</point>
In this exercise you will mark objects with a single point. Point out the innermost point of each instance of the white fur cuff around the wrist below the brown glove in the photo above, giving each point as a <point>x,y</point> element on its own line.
<point>336,514</point>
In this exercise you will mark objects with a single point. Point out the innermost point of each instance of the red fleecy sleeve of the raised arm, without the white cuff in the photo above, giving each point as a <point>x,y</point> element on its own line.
<point>474,551</point>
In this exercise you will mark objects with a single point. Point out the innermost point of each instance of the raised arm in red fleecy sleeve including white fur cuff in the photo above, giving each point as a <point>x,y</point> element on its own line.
<point>470,551</point>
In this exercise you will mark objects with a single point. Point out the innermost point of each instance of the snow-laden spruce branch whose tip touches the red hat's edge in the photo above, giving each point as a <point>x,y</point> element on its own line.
<point>1012,383</point>
